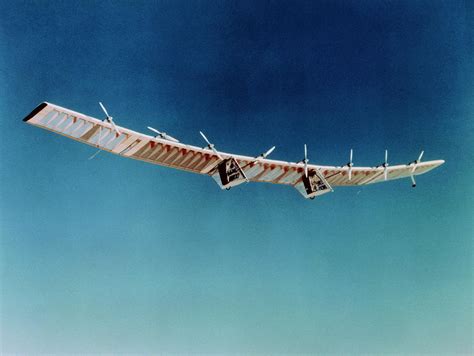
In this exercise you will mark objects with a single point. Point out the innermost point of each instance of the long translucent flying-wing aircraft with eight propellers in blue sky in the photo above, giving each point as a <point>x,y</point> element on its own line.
<point>227,169</point>
